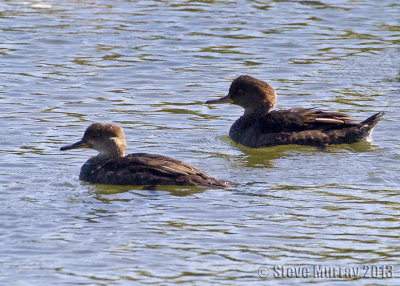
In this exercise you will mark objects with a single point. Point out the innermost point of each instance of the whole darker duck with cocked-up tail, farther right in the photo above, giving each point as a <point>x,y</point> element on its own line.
<point>261,127</point>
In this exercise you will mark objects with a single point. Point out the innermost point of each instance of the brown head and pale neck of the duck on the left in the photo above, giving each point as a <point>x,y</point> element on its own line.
<point>107,139</point>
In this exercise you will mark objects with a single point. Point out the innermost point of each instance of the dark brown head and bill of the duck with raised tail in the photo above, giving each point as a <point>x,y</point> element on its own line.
<point>250,93</point>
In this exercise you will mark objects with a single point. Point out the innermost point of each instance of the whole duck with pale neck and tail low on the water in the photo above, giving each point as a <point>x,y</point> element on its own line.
<point>112,167</point>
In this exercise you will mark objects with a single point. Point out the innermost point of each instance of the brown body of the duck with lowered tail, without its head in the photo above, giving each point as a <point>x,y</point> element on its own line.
<point>145,169</point>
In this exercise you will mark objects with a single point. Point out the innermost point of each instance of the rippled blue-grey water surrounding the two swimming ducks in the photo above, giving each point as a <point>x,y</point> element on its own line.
<point>149,66</point>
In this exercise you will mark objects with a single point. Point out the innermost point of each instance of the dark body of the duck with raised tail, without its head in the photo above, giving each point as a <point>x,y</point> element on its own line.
<point>300,126</point>
